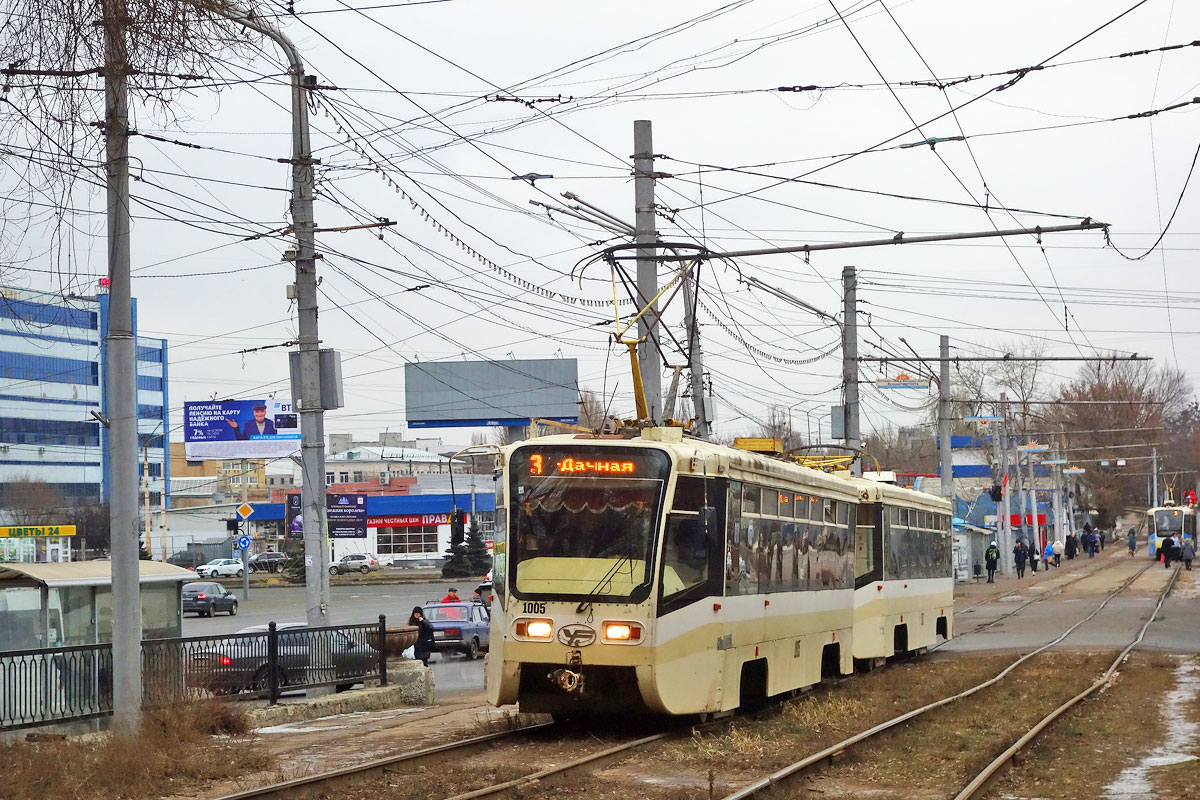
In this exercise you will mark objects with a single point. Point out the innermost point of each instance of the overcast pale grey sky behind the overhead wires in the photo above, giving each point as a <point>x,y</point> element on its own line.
<point>416,111</point>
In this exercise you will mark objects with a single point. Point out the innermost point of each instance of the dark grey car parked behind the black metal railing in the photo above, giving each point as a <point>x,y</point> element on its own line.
<point>241,663</point>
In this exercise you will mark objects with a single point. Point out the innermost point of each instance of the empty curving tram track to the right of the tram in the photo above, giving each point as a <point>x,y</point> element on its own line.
<point>837,751</point>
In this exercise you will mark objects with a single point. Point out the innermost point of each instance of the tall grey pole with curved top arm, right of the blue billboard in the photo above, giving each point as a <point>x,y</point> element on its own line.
<point>309,394</point>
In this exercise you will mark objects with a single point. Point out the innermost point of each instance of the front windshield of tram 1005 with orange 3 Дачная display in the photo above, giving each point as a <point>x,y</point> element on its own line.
<point>583,522</point>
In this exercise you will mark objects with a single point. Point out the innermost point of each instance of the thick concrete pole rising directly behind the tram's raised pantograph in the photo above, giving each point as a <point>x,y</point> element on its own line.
<point>646,237</point>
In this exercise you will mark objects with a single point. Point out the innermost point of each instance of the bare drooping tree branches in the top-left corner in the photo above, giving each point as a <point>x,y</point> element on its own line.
<point>57,59</point>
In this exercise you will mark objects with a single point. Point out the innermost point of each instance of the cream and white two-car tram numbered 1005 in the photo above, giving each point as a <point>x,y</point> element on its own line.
<point>677,576</point>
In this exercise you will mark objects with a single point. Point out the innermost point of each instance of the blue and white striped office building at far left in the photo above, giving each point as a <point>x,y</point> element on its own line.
<point>52,378</point>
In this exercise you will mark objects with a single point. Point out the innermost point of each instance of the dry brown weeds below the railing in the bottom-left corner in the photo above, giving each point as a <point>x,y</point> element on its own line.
<point>173,754</point>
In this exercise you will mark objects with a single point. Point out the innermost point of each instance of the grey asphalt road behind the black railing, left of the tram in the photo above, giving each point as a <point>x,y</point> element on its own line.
<point>351,605</point>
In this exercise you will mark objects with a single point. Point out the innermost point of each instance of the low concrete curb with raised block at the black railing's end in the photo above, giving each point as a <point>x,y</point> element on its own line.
<point>409,684</point>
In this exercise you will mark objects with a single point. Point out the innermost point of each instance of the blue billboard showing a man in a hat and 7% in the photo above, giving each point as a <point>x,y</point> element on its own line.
<point>254,429</point>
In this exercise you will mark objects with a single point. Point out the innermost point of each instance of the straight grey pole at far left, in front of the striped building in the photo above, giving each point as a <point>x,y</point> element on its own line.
<point>121,381</point>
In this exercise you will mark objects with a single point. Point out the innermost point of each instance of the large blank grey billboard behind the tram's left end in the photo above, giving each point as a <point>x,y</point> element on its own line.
<point>476,394</point>
